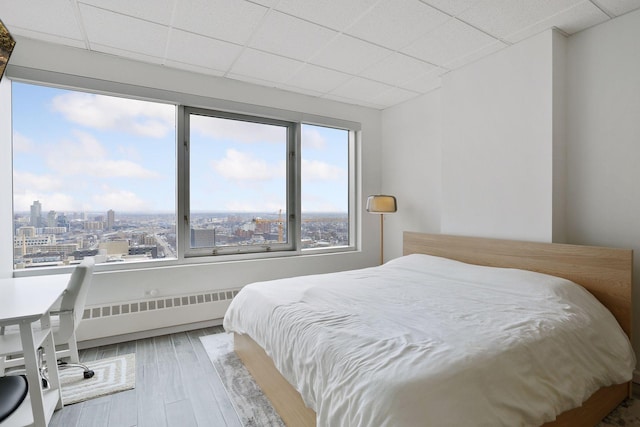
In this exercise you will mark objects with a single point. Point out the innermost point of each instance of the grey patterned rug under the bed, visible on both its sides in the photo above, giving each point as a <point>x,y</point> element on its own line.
<point>254,409</point>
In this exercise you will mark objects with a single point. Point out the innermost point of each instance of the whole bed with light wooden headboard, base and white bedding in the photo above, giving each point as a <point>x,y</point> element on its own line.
<point>449,373</point>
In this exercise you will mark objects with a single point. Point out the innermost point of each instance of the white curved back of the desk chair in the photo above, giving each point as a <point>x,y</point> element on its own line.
<point>75,297</point>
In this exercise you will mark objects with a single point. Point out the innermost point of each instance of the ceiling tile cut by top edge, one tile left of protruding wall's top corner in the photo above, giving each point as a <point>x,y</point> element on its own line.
<point>503,17</point>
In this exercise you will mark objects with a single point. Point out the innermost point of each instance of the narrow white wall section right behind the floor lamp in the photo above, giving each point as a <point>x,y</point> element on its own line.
<point>412,168</point>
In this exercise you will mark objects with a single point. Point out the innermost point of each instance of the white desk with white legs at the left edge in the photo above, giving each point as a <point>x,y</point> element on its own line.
<point>24,301</point>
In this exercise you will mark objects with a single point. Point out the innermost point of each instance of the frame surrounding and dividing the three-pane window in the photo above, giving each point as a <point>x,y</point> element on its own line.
<point>184,100</point>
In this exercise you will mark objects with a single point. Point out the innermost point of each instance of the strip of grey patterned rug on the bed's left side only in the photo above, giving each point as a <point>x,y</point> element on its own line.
<point>251,405</point>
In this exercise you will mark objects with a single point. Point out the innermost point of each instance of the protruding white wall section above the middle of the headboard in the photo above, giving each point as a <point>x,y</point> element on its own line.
<point>497,149</point>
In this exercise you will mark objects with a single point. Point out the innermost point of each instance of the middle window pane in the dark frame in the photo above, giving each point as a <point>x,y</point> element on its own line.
<point>241,173</point>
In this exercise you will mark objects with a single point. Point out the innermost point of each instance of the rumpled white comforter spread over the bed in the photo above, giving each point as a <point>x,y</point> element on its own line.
<point>427,341</point>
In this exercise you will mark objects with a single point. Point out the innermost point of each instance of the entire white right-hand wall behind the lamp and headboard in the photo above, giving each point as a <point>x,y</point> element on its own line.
<point>501,175</point>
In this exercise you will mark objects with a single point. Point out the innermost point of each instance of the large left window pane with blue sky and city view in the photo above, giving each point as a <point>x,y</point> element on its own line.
<point>93,175</point>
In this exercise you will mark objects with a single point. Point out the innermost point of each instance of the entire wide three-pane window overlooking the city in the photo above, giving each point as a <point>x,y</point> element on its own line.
<point>108,176</point>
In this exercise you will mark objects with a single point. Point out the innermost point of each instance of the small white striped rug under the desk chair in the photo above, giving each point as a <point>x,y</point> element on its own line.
<point>112,375</point>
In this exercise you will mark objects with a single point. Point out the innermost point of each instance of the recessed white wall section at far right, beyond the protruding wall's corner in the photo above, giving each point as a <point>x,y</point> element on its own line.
<point>603,145</point>
